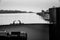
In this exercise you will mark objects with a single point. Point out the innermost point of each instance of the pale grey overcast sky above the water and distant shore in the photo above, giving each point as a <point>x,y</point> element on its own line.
<point>28,5</point>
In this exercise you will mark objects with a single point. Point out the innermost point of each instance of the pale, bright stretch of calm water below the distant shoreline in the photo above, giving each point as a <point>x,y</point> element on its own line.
<point>23,17</point>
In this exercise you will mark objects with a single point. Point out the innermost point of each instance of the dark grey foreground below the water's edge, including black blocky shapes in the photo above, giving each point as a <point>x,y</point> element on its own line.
<point>24,32</point>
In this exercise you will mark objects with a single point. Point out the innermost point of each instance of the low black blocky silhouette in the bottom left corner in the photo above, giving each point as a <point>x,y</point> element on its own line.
<point>13,36</point>
